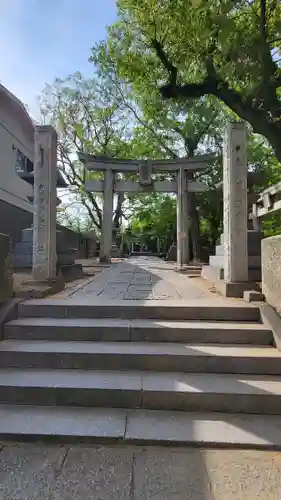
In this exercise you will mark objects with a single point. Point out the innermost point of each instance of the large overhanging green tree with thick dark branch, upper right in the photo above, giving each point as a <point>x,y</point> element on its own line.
<point>192,48</point>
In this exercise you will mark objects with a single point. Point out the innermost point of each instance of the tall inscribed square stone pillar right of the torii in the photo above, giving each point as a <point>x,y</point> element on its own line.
<point>235,207</point>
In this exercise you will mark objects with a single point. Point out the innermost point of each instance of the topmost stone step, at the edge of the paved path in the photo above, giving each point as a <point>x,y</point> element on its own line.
<point>212,310</point>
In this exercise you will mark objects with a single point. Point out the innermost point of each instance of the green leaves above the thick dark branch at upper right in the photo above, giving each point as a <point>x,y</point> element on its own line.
<point>191,30</point>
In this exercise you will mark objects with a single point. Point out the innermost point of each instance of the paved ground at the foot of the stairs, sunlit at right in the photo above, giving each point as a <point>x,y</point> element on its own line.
<point>53,472</point>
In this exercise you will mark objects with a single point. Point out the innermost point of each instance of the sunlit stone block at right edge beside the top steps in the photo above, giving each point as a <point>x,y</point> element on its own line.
<point>271,271</point>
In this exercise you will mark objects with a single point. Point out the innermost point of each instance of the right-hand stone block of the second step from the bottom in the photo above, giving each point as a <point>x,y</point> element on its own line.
<point>229,393</point>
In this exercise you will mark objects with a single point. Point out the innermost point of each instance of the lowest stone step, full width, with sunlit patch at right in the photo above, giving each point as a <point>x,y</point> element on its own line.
<point>141,427</point>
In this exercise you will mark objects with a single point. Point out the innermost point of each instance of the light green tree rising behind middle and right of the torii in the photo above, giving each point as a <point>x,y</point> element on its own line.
<point>165,129</point>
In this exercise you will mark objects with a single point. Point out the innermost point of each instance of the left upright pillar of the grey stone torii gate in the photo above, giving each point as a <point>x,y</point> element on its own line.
<point>106,234</point>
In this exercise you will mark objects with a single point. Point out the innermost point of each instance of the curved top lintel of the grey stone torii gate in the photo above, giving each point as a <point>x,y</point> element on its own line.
<point>193,163</point>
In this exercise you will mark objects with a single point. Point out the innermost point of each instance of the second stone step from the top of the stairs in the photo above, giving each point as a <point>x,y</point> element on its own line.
<point>137,330</point>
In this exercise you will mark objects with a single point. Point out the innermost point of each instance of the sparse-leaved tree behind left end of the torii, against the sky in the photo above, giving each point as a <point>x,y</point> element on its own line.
<point>88,121</point>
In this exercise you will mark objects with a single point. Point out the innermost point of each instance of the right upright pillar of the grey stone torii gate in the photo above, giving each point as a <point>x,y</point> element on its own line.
<point>182,220</point>
